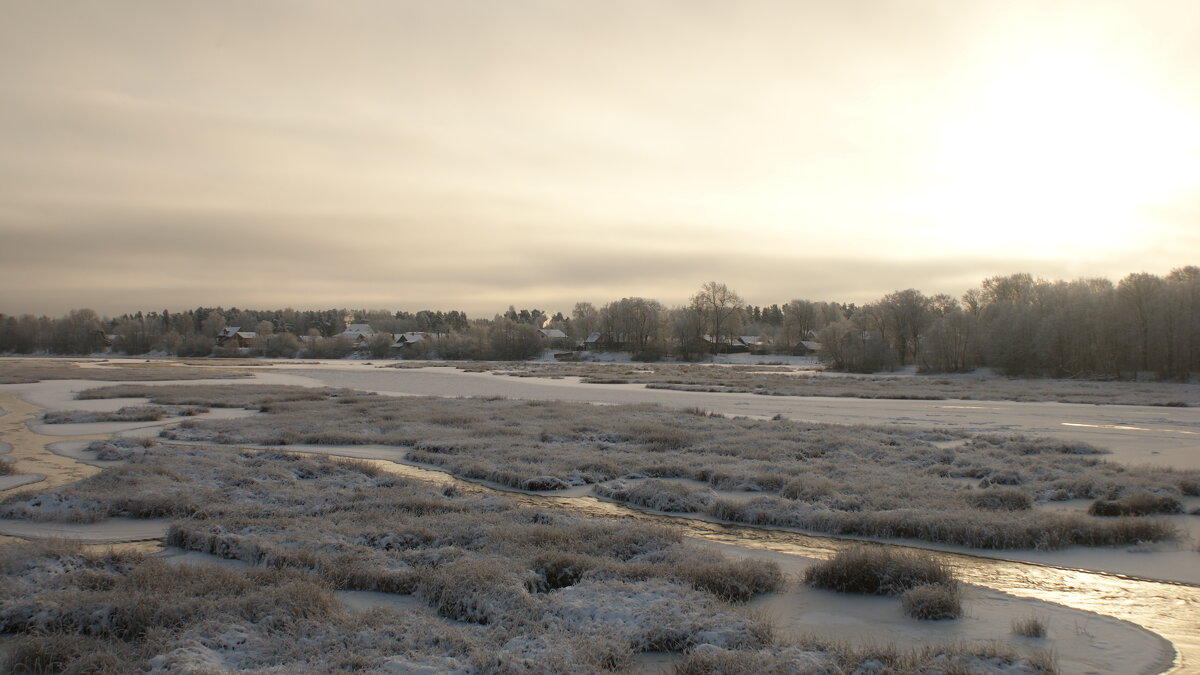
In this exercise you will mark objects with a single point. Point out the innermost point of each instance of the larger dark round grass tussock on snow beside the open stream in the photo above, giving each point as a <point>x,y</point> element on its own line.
<point>878,571</point>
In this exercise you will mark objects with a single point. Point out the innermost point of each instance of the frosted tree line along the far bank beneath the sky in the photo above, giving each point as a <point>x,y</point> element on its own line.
<point>1018,325</point>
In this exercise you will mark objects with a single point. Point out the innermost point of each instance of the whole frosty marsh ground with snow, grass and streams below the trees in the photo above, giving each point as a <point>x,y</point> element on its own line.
<point>343,516</point>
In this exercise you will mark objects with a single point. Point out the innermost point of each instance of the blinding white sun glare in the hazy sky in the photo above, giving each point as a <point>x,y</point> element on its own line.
<point>1059,156</point>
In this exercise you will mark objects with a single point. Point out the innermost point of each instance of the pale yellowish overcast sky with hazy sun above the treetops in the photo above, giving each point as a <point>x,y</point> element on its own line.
<point>473,154</point>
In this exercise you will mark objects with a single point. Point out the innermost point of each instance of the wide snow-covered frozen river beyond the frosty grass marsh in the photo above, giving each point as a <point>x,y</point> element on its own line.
<point>1165,437</point>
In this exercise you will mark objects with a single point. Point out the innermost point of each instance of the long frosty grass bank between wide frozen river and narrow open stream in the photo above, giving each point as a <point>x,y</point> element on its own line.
<point>855,481</point>
